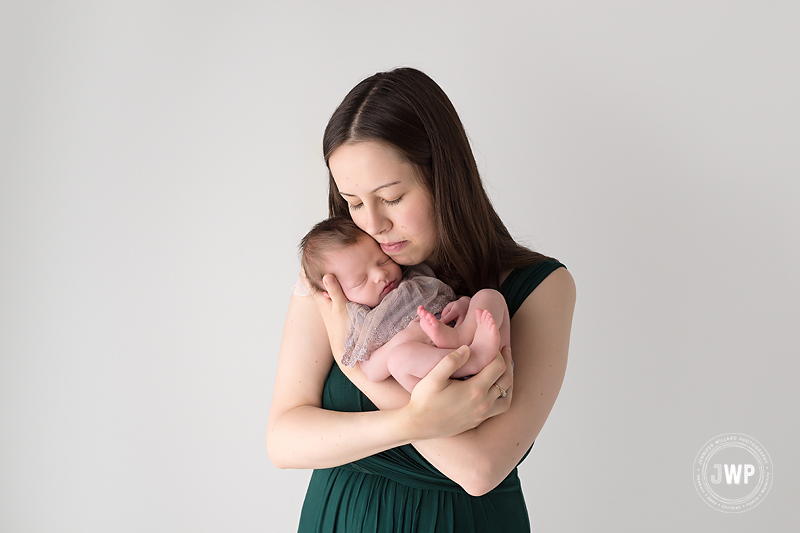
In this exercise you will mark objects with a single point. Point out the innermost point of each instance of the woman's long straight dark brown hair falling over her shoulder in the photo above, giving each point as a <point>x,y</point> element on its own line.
<point>407,109</point>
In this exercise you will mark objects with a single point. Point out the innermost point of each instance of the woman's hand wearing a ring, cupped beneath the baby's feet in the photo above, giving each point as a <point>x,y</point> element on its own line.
<point>443,407</point>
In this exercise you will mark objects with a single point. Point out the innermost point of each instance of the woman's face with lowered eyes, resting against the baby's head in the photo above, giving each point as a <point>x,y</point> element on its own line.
<point>386,200</point>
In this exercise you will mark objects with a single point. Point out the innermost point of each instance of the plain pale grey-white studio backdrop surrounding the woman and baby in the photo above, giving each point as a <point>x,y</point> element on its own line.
<point>160,161</point>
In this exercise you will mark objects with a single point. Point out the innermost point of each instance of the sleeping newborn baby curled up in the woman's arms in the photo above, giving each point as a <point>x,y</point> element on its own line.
<point>393,327</point>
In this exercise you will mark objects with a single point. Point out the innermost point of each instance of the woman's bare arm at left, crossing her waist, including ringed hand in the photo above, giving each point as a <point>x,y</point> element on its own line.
<point>300,434</point>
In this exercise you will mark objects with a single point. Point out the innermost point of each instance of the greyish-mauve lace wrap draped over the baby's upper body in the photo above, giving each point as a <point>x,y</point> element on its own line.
<point>372,328</point>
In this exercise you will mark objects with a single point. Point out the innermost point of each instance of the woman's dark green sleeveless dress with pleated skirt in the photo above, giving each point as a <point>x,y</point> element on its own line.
<point>399,490</point>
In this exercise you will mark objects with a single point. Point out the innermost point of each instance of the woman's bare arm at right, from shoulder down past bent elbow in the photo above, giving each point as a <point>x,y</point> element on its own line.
<point>481,458</point>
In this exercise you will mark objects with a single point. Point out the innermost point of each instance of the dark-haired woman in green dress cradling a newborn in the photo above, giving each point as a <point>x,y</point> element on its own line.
<point>443,458</point>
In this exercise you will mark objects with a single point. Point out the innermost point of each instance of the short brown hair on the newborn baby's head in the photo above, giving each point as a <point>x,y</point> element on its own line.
<point>327,236</point>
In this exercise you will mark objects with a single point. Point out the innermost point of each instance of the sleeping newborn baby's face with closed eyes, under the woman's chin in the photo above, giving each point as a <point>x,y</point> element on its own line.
<point>365,273</point>
